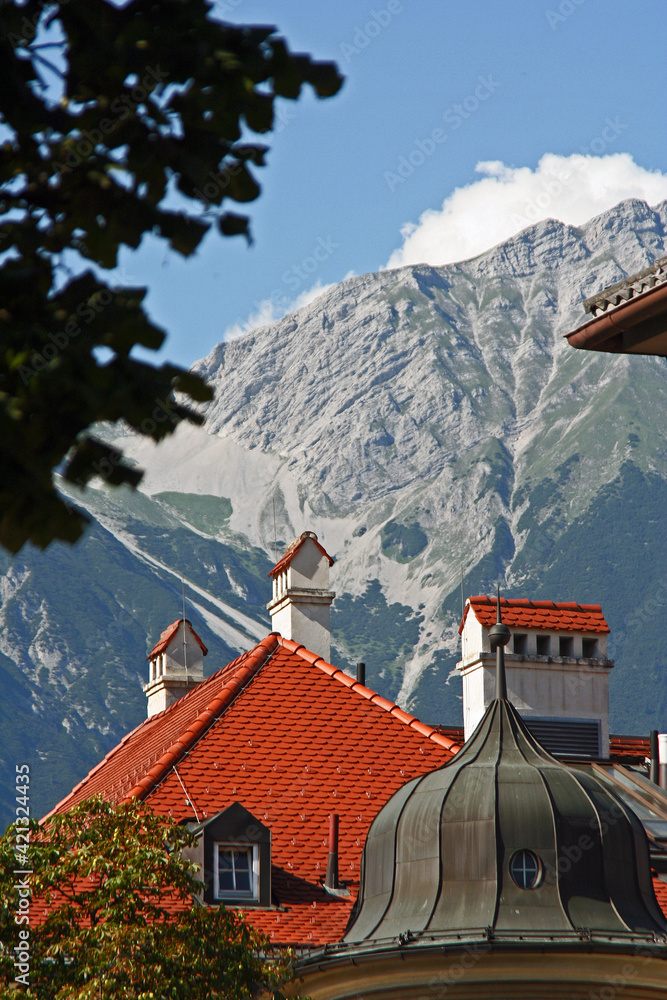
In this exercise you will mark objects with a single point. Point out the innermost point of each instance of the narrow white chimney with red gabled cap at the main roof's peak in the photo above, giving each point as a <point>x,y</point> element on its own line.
<point>301,604</point>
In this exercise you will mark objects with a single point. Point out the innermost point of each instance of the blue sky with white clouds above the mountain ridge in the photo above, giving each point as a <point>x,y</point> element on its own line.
<point>433,89</point>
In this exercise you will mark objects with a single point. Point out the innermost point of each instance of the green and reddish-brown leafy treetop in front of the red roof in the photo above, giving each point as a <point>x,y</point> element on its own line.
<point>112,915</point>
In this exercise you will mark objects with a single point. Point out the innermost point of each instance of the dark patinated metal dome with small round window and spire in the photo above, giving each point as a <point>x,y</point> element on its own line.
<point>508,842</point>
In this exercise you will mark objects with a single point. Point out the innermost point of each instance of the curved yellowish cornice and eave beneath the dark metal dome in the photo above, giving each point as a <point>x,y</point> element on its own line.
<point>548,965</point>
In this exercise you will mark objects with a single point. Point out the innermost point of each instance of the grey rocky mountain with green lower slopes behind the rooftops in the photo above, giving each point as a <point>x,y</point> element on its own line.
<point>431,424</point>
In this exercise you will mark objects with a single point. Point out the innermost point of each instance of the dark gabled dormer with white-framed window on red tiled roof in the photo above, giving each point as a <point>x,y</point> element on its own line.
<point>236,859</point>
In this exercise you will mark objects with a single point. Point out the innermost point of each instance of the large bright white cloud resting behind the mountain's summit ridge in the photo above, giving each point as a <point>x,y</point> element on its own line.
<point>506,199</point>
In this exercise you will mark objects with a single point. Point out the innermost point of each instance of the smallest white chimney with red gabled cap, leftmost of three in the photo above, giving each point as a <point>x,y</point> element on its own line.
<point>175,665</point>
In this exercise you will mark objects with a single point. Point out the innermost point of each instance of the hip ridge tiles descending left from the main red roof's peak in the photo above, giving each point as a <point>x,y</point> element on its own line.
<point>250,665</point>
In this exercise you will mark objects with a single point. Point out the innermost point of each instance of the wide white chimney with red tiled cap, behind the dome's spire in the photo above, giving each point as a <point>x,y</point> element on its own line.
<point>557,670</point>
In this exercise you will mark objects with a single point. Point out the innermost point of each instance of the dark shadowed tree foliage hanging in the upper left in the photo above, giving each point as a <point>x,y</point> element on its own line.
<point>116,121</point>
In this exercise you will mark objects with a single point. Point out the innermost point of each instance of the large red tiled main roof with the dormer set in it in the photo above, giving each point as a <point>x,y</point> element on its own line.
<point>293,739</point>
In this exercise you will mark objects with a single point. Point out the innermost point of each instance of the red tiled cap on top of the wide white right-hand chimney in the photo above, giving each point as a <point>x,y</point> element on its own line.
<point>563,616</point>
